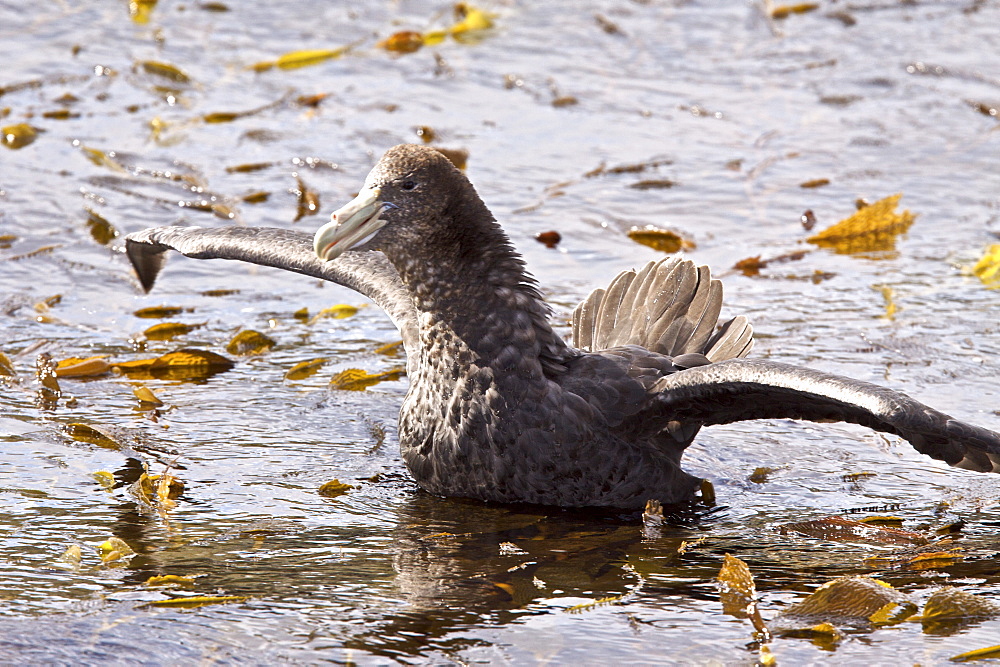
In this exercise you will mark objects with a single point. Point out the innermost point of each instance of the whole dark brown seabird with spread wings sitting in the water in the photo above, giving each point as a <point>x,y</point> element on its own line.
<point>499,407</point>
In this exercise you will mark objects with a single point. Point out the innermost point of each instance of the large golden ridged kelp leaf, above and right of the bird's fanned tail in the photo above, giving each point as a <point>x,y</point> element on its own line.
<point>873,228</point>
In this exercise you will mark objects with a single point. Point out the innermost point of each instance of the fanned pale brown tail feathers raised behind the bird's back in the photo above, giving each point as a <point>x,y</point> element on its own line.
<point>670,307</point>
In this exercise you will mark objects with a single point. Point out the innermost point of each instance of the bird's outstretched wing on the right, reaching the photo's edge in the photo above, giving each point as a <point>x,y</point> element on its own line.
<point>740,389</point>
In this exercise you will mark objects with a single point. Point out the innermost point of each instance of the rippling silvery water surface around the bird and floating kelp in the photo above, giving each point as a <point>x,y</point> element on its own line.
<point>739,109</point>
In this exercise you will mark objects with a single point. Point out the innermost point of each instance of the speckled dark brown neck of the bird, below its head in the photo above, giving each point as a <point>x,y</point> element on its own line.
<point>476,294</point>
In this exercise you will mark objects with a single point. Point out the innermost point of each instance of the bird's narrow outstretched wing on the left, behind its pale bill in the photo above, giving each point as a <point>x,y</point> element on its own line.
<point>367,272</point>
